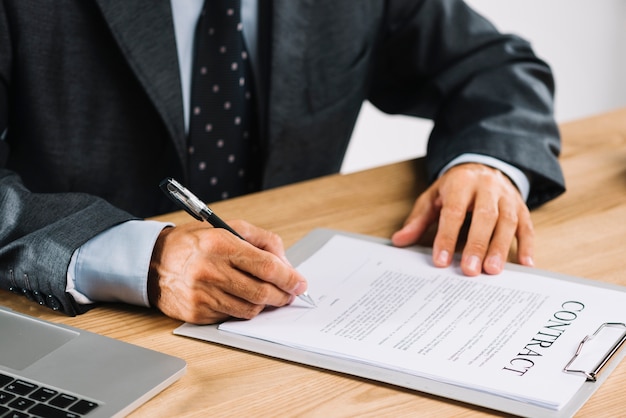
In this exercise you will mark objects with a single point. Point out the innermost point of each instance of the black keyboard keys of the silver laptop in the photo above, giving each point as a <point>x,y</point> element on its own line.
<point>22,399</point>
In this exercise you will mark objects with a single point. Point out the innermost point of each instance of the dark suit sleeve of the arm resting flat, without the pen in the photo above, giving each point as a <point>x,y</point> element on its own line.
<point>488,93</point>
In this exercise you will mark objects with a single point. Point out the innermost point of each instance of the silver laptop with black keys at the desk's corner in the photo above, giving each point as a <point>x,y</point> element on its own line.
<point>54,370</point>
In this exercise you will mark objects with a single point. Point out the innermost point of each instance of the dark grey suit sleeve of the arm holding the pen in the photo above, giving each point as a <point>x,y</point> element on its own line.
<point>40,231</point>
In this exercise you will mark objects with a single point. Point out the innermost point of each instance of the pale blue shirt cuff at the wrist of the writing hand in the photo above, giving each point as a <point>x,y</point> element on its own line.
<point>113,265</point>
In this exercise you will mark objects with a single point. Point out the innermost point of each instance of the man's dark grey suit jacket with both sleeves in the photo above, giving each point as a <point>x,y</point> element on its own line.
<point>92,118</point>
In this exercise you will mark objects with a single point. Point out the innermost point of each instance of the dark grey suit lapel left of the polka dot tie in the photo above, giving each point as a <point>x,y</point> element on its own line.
<point>144,31</point>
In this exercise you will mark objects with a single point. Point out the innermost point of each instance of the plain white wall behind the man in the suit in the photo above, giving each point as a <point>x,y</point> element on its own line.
<point>584,41</point>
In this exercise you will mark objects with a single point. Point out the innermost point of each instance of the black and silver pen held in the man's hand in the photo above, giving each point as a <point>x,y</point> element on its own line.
<point>199,210</point>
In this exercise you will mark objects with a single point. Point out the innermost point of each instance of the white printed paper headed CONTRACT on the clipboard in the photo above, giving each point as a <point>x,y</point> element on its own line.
<point>508,335</point>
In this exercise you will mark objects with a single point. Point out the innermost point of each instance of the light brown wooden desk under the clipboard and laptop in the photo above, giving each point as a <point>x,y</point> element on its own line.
<point>581,233</point>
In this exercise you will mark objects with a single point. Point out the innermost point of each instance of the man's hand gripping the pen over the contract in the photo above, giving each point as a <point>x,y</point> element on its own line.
<point>204,275</point>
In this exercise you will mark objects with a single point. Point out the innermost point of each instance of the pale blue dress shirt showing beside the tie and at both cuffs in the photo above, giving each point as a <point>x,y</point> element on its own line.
<point>113,266</point>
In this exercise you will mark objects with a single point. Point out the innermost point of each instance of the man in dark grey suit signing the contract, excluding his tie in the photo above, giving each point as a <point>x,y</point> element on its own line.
<point>94,112</point>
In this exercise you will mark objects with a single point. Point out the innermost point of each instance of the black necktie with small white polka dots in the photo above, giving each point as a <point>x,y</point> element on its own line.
<point>221,130</point>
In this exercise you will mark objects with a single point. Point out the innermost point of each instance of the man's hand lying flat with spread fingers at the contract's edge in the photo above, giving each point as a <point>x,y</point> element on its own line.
<point>498,215</point>
